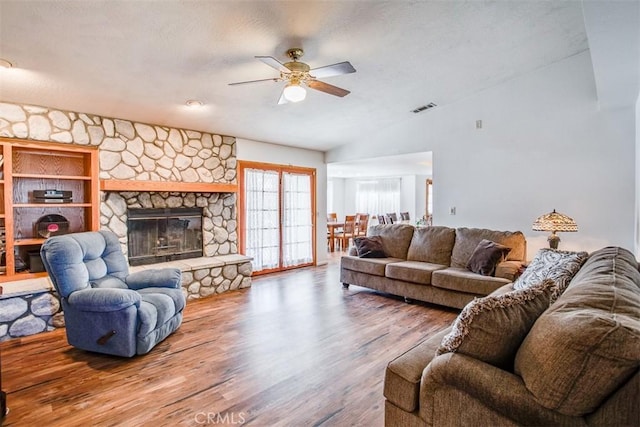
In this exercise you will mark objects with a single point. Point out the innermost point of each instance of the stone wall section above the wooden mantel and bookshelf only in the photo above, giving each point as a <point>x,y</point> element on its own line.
<point>129,150</point>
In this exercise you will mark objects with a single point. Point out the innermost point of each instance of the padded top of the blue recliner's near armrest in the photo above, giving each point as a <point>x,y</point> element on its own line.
<point>103,299</point>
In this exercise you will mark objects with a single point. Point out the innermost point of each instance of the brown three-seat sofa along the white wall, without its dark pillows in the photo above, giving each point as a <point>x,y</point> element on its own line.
<point>429,264</point>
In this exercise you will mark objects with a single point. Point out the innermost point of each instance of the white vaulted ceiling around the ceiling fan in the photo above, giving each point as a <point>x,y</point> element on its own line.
<point>142,60</point>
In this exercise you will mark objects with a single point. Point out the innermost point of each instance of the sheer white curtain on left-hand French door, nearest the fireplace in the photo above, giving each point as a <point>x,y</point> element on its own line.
<point>262,237</point>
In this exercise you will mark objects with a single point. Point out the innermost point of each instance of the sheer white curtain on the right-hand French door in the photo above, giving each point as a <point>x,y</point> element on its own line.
<point>297,226</point>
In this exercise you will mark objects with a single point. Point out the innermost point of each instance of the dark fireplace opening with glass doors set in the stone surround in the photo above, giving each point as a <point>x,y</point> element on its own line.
<point>160,235</point>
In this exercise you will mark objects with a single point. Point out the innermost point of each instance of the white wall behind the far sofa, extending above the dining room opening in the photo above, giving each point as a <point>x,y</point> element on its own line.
<point>544,145</point>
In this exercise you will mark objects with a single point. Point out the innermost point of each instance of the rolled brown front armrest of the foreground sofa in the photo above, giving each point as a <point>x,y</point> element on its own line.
<point>500,392</point>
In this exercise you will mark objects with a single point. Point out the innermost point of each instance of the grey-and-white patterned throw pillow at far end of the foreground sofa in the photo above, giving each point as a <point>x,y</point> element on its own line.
<point>560,266</point>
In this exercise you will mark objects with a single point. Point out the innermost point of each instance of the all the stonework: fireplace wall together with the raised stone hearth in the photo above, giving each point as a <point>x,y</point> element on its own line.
<point>138,151</point>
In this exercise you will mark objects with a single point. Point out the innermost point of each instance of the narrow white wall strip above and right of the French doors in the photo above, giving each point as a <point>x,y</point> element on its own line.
<point>271,153</point>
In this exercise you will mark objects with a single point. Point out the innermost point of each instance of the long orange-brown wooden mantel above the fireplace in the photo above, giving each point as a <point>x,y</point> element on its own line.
<point>181,187</point>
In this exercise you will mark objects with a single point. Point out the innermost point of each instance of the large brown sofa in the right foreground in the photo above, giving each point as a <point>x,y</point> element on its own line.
<point>578,365</point>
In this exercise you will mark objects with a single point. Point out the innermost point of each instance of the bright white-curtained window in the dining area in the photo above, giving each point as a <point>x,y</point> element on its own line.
<point>379,196</point>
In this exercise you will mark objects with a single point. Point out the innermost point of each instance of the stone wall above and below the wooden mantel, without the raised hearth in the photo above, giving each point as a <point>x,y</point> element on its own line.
<point>142,152</point>
